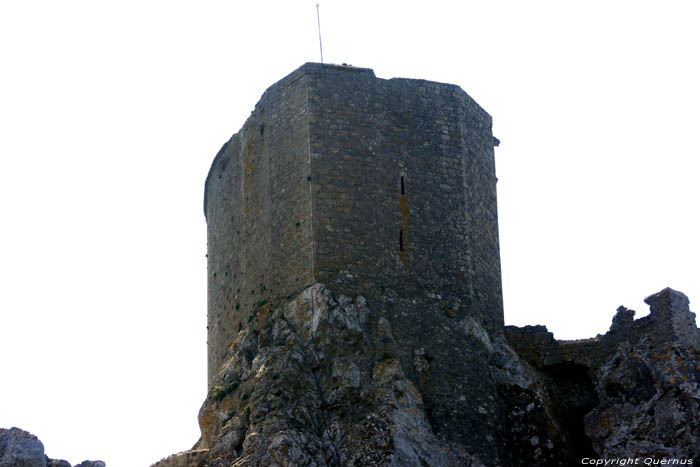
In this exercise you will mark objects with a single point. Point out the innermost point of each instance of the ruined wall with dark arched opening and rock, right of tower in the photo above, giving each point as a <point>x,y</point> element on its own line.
<point>633,392</point>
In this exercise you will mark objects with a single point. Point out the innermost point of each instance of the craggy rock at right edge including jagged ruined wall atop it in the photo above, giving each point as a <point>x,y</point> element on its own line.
<point>649,387</point>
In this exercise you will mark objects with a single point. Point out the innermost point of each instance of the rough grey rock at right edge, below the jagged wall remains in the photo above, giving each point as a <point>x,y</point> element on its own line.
<point>649,403</point>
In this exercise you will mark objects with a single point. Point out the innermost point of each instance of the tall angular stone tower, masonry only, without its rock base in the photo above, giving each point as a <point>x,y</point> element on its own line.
<point>373,187</point>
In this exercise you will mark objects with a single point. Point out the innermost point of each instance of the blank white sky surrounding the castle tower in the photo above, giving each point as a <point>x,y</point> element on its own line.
<point>111,113</point>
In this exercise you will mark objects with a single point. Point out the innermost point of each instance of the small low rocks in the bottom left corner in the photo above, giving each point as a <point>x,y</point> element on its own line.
<point>19,448</point>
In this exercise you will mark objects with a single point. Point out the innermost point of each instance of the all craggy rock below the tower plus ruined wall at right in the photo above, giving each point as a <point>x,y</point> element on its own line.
<point>315,382</point>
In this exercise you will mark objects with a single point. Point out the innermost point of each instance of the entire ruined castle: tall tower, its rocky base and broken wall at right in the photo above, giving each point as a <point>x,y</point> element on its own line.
<point>355,312</point>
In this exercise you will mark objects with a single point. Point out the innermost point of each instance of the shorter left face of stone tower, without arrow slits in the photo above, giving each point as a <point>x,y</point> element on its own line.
<point>258,210</point>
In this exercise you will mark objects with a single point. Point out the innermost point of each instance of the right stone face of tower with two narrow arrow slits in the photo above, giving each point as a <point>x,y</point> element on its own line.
<point>404,194</point>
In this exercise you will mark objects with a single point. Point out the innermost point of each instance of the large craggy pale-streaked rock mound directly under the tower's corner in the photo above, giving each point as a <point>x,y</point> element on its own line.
<point>317,383</point>
